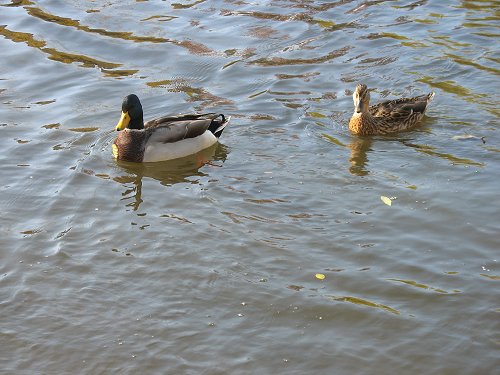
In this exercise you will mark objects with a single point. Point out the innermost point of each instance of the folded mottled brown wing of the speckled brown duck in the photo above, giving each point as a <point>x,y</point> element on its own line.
<point>401,108</point>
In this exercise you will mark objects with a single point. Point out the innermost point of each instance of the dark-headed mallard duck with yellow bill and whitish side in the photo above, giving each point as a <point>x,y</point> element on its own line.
<point>165,138</point>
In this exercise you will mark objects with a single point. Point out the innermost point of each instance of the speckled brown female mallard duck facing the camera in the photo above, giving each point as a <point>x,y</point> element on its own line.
<point>386,117</point>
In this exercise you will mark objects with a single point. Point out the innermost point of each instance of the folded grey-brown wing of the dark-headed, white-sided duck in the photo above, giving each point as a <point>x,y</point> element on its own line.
<point>171,129</point>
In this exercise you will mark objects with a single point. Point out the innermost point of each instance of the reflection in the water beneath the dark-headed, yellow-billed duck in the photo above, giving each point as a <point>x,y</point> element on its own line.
<point>168,172</point>
